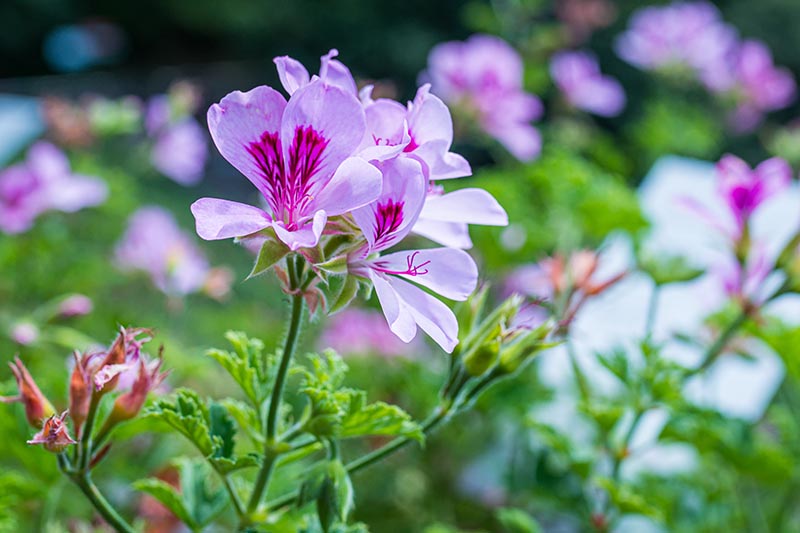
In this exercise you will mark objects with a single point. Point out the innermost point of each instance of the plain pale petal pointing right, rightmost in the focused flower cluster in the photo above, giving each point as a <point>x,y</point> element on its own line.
<point>472,206</point>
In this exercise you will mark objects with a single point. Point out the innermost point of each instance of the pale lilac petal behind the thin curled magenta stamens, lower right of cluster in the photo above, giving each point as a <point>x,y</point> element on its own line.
<point>446,271</point>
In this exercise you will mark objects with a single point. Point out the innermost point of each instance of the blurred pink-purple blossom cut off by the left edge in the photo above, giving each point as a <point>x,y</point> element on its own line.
<point>41,183</point>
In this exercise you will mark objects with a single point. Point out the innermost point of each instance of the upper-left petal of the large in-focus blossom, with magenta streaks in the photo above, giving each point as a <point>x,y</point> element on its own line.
<point>239,122</point>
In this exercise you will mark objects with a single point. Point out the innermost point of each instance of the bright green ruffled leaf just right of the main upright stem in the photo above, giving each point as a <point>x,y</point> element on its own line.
<point>335,410</point>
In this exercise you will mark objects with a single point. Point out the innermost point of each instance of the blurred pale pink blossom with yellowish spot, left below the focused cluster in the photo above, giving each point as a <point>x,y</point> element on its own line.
<point>155,244</point>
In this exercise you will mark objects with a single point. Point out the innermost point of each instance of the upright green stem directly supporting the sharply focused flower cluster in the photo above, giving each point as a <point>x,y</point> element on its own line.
<point>270,455</point>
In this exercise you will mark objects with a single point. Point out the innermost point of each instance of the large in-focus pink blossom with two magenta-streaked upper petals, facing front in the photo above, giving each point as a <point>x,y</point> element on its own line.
<point>300,155</point>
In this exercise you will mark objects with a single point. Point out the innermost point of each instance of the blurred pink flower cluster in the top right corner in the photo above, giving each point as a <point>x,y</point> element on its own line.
<point>693,37</point>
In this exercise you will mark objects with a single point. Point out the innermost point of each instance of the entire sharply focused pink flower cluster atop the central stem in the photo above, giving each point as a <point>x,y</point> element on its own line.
<point>343,172</point>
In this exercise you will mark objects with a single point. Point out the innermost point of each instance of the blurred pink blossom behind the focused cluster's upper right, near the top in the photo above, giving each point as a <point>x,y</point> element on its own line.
<point>484,75</point>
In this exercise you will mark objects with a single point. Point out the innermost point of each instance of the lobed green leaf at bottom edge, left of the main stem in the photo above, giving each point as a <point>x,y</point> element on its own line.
<point>195,504</point>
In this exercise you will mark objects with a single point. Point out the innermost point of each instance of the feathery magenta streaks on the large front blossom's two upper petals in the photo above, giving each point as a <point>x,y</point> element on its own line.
<point>289,186</point>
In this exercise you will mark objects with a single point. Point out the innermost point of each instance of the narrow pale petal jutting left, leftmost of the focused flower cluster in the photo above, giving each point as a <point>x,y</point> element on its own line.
<point>223,219</point>
